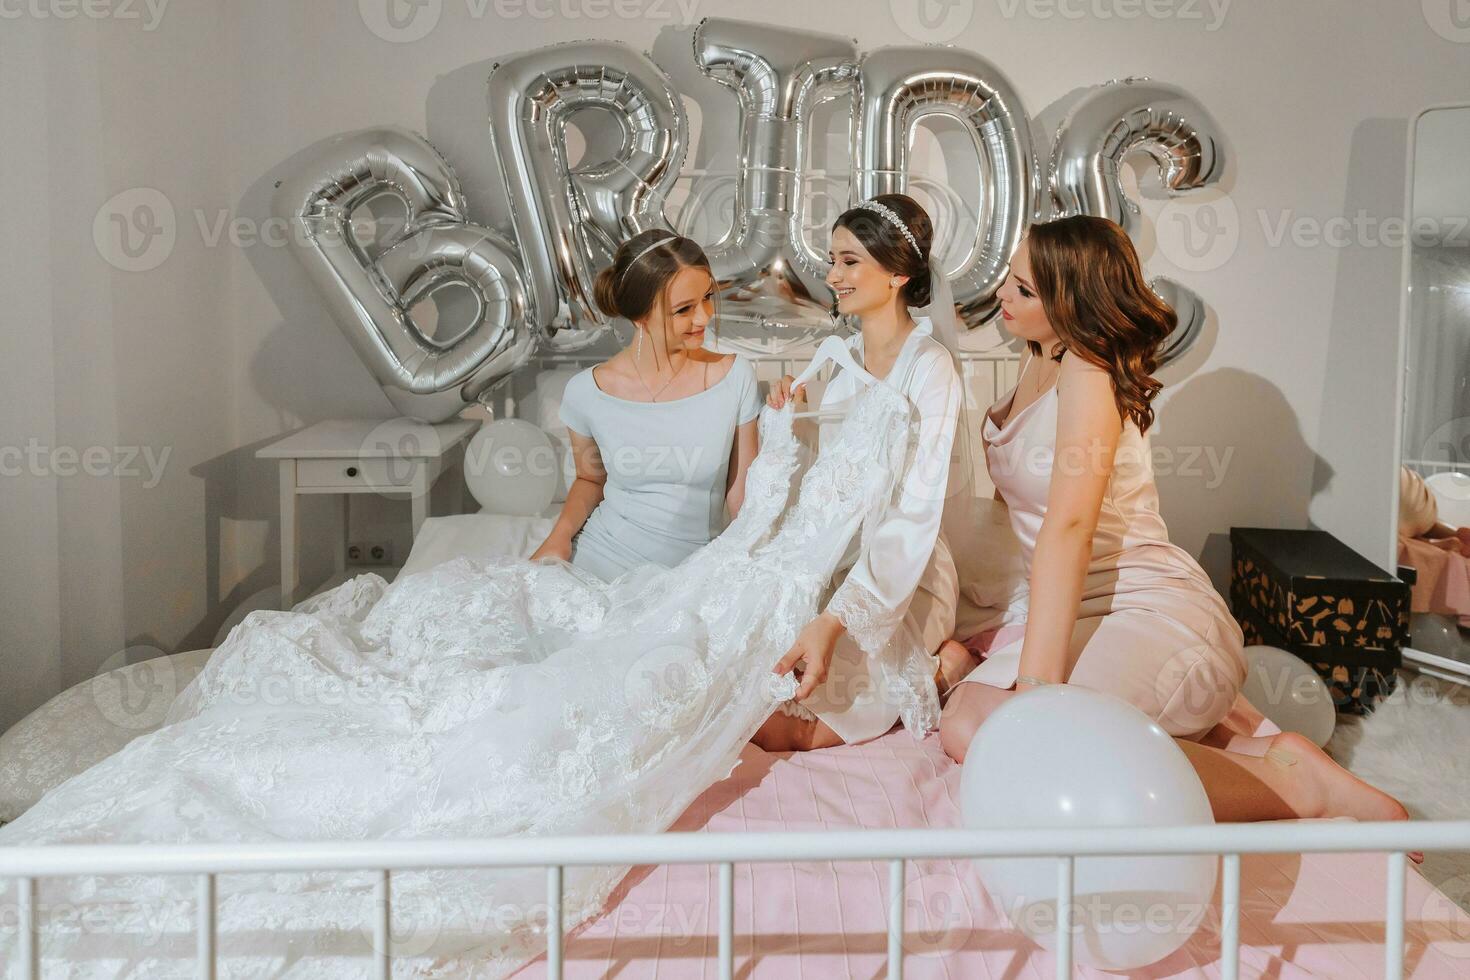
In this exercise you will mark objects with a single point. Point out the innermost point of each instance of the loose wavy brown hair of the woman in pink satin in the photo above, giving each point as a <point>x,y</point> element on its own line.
<point>1102,308</point>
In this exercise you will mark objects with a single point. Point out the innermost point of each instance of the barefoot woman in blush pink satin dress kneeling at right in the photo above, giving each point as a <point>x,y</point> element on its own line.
<point>1115,606</point>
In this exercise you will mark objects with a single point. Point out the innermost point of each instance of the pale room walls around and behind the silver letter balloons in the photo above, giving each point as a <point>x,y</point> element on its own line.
<point>224,347</point>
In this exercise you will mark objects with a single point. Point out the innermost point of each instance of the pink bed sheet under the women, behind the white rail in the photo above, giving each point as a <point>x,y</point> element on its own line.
<point>1316,916</point>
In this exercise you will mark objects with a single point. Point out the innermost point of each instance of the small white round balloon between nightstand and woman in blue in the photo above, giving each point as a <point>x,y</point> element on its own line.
<point>511,468</point>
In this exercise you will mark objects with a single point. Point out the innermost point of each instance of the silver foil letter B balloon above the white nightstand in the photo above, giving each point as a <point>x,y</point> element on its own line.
<point>370,296</point>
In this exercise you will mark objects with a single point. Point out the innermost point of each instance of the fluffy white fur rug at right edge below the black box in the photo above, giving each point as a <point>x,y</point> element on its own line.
<point>1416,746</point>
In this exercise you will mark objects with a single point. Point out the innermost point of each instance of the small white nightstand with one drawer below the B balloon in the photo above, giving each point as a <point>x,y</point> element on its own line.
<point>359,456</point>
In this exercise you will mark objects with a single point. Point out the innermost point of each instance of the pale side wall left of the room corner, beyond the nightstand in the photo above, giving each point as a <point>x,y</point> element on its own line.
<point>108,368</point>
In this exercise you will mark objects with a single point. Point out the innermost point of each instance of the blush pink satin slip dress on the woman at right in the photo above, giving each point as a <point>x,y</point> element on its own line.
<point>1152,627</point>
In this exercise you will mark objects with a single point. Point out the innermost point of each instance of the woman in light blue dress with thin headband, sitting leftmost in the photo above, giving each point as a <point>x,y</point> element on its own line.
<point>665,430</point>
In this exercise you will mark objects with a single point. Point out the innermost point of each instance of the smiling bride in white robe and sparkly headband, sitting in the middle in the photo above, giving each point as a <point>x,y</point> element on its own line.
<point>883,270</point>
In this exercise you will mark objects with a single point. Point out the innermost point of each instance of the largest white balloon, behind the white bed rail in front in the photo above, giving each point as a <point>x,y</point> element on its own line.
<point>1069,757</point>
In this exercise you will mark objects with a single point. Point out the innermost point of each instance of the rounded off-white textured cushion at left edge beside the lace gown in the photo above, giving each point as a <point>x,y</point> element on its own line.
<point>87,724</point>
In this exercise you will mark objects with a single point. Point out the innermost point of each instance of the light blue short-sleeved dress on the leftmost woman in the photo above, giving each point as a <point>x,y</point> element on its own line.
<point>667,468</point>
